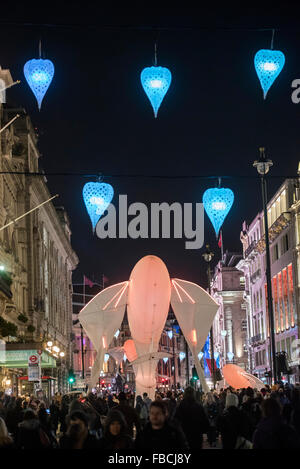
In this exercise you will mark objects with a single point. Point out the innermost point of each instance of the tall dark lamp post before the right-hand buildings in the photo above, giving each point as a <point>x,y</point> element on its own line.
<point>263,165</point>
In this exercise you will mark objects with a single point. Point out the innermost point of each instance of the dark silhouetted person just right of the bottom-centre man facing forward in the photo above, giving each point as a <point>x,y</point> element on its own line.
<point>191,416</point>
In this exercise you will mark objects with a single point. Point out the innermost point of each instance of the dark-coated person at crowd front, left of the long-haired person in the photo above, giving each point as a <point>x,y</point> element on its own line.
<point>77,435</point>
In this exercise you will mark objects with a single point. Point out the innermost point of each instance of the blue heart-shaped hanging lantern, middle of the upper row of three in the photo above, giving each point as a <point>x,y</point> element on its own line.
<point>156,82</point>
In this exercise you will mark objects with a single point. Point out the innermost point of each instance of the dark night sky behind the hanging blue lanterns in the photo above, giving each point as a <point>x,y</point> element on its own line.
<point>95,116</point>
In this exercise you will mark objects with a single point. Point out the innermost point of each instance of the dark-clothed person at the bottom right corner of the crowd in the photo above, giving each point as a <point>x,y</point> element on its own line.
<point>272,432</point>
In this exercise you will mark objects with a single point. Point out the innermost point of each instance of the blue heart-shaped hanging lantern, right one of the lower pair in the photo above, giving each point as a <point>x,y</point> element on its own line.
<point>217,203</point>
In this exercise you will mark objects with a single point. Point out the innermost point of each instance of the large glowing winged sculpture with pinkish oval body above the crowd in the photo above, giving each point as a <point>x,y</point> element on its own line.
<point>148,295</point>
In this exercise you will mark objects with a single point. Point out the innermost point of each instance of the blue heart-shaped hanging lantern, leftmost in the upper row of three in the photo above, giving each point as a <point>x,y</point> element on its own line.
<point>39,74</point>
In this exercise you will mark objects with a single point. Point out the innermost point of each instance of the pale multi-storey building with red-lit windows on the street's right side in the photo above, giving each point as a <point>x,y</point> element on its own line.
<point>284,235</point>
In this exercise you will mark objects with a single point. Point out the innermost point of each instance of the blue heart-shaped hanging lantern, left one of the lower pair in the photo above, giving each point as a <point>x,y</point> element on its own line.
<point>97,197</point>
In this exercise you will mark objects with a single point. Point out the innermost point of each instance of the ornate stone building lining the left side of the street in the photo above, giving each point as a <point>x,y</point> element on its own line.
<point>36,263</point>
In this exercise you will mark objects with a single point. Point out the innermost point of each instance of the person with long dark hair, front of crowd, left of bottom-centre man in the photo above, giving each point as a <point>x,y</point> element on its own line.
<point>116,435</point>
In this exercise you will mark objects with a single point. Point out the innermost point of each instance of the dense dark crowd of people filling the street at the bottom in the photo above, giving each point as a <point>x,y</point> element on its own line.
<point>228,419</point>
